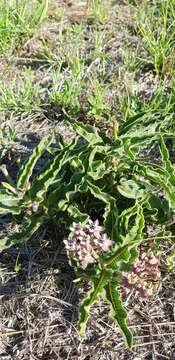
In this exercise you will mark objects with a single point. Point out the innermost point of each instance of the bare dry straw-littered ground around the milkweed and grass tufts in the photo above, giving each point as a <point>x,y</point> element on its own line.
<point>39,303</point>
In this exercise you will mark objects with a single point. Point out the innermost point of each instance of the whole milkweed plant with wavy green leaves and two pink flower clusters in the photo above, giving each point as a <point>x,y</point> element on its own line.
<point>105,192</point>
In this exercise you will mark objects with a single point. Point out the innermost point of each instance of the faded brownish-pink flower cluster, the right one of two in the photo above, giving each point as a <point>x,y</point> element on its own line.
<point>143,276</point>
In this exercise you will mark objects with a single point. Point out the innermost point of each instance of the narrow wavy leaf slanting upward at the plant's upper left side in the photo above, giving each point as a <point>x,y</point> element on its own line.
<point>27,169</point>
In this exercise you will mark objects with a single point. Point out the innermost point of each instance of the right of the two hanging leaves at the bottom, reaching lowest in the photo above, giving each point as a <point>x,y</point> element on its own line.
<point>118,311</point>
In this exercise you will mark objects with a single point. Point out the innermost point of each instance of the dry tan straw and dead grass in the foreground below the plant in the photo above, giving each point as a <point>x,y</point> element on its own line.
<point>39,310</point>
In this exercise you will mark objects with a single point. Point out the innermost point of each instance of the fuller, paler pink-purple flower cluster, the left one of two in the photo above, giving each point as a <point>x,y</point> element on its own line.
<point>85,243</point>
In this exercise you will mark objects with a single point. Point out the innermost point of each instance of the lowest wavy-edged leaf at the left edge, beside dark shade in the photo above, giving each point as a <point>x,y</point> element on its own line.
<point>27,229</point>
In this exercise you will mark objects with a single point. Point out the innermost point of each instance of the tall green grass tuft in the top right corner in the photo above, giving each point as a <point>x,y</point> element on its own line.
<point>156,25</point>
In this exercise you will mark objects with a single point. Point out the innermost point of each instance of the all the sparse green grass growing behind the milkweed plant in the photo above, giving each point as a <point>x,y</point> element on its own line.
<point>80,85</point>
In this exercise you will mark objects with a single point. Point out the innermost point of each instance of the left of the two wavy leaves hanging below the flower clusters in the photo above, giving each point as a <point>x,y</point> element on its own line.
<point>92,297</point>
